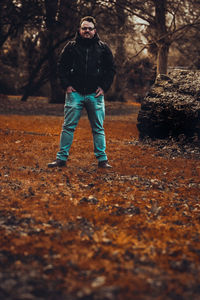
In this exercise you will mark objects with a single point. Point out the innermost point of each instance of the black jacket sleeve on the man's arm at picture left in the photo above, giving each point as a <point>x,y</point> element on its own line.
<point>65,62</point>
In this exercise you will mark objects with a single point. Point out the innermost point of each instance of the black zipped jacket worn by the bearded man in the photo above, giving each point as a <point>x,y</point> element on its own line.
<point>86,64</point>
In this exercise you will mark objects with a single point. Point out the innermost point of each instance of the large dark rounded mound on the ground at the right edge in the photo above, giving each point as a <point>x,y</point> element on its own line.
<point>172,107</point>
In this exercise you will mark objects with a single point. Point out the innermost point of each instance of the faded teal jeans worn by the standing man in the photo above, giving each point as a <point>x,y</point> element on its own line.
<point>95,107</point>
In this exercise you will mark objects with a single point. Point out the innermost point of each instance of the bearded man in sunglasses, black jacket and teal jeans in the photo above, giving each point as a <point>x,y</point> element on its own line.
<point>86,70</point>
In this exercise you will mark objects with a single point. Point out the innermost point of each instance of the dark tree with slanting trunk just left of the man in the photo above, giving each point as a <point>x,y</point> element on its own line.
<point>56,29</point>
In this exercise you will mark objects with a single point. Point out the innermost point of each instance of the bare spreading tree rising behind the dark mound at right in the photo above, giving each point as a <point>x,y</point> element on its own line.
<point>164,22</point>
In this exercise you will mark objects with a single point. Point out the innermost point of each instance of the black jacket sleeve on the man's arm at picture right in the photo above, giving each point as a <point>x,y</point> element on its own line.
<point>109,69</point>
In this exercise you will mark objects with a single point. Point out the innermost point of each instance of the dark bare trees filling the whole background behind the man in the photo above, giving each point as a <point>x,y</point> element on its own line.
<point>157,33</point>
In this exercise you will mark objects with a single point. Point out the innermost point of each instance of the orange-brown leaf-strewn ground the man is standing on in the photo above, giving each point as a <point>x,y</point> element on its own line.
<point>79,232</point>
